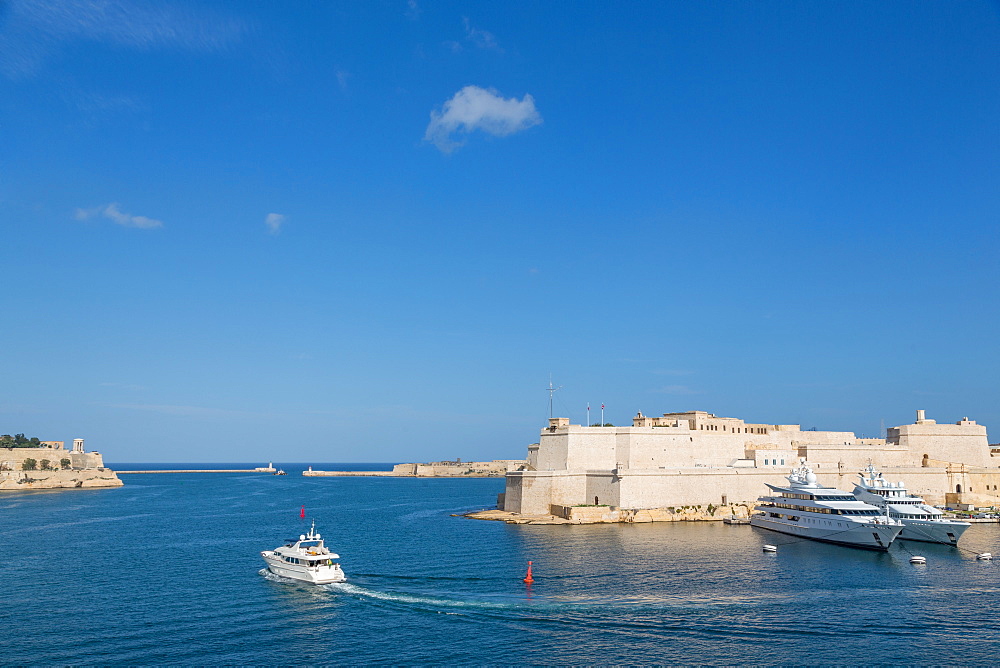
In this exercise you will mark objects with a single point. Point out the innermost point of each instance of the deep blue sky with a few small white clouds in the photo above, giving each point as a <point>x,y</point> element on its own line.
<point>343,231</point>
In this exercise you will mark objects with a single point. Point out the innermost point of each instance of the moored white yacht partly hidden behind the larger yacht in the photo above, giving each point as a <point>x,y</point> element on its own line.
<point>921,521</point>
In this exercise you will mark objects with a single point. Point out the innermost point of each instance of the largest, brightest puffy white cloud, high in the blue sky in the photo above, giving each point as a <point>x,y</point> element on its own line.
<point>474,108</point>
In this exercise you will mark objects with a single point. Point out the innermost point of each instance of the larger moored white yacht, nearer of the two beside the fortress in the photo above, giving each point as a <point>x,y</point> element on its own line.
<point>807,509</point>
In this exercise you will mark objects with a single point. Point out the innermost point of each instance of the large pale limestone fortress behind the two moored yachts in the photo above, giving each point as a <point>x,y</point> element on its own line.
<point>696,460</point>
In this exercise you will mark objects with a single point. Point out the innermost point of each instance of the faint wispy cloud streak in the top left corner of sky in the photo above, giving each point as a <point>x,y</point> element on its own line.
<point>34,29</point>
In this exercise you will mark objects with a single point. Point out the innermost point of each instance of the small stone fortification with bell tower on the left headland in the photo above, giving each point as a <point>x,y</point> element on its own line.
<point>64,469</point>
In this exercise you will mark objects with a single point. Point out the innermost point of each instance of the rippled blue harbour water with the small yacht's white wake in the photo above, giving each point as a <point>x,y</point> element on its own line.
<point>167,570</point>
